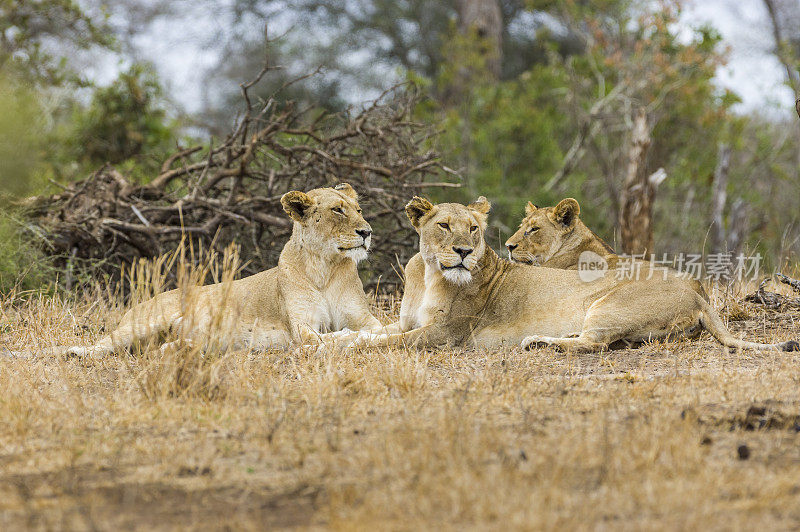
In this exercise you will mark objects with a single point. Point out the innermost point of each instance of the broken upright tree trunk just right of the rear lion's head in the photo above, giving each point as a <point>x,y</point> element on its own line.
<point>638,192</point>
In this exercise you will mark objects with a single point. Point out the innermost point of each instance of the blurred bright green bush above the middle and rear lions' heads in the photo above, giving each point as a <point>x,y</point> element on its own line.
<point>505,137</point>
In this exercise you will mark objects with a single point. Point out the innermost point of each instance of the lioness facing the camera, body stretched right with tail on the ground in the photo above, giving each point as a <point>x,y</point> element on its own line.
<point>460,293</point>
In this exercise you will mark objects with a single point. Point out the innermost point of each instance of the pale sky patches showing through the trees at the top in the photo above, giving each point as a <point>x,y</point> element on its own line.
<point>183,58</point>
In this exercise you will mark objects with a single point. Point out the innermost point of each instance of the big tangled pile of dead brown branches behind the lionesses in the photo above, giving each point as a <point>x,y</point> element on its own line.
<point>230,192</point>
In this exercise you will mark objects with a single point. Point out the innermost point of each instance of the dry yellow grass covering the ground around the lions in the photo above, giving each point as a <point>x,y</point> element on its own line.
<point>631,439</point>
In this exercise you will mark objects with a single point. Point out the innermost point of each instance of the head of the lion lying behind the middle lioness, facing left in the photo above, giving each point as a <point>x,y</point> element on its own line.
<point>542,232</point>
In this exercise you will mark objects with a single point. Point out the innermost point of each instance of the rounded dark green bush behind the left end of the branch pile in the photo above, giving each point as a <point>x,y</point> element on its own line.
<point>124,121</point>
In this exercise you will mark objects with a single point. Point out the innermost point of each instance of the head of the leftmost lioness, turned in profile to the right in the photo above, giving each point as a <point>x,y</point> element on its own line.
<point>329,221</point>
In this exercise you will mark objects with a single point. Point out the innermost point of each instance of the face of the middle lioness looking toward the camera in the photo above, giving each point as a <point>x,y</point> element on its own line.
<point>450,235</point>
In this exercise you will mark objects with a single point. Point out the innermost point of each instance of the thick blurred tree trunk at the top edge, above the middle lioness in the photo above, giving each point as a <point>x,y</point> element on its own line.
<point>485,18</point>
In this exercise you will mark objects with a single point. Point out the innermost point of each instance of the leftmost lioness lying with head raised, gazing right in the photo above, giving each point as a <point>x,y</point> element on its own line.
<point>315,287</point>
